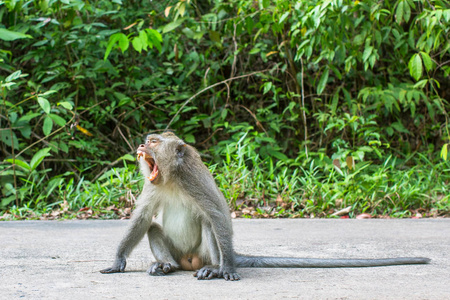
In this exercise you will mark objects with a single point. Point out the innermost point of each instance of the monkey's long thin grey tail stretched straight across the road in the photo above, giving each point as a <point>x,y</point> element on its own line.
<point>244,261</point>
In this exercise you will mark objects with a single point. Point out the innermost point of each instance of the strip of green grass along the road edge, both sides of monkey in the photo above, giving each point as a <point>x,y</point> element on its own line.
<point>257,187</point>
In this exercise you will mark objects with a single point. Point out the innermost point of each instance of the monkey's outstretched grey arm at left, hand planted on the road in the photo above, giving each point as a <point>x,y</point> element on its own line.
<point>140,223</point>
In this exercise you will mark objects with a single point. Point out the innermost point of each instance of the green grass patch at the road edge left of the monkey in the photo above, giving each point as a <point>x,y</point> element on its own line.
<point>111,196</point>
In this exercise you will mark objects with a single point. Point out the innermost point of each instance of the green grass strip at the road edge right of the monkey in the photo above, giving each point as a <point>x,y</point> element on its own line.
<point>392,188</point>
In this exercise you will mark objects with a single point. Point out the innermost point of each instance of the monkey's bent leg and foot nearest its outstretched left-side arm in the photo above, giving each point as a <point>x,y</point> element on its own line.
<point>161,245</point>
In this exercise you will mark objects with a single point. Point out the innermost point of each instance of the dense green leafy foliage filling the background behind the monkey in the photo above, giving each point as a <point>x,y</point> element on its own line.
<point>280,88</point>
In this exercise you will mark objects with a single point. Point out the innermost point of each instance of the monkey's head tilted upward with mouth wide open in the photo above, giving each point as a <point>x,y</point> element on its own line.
<point>162,154</point>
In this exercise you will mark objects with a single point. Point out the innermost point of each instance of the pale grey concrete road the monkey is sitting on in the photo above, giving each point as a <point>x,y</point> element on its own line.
<point>61,259</point>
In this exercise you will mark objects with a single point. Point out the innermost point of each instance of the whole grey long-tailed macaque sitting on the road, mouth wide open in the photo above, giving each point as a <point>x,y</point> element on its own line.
<point>196,231</point>
